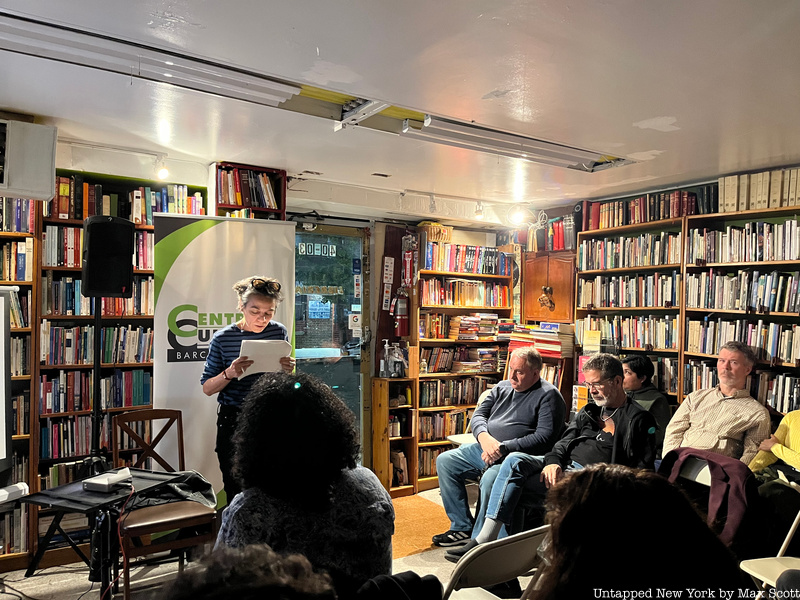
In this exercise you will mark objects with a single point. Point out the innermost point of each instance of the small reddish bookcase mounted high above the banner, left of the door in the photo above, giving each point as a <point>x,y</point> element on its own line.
<point>247,191</point>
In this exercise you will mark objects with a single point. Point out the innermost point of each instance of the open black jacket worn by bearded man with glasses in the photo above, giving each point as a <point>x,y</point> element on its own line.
<point>634,436</point>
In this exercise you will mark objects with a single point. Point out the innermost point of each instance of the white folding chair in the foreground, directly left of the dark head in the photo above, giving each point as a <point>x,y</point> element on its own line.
<point>495,562</point>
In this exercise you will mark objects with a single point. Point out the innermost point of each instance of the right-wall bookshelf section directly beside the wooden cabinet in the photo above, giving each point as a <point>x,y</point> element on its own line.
<point>629,293</point>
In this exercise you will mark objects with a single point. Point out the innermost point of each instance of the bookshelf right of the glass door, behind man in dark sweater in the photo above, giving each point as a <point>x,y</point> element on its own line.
<point>462,290</point>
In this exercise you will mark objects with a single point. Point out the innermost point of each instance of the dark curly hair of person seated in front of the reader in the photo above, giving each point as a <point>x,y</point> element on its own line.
<point>293,439</point>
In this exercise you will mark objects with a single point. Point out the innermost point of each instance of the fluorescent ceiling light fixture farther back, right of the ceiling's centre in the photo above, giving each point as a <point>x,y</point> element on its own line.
<point>484,139</point>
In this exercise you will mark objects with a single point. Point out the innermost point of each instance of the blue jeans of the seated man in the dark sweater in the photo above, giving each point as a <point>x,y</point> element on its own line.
<point>453,468</point>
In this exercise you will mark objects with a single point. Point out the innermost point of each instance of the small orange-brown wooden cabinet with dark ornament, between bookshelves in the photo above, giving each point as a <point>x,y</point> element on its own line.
<point>555,270</point>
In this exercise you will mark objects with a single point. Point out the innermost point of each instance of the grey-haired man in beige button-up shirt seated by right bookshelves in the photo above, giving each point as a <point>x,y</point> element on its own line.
<point>724,419</point>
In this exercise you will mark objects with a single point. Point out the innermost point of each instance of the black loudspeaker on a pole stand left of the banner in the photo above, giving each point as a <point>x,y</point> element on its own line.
<point>107,272</point>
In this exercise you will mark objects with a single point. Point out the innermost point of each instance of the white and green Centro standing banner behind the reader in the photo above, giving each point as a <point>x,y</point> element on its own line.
<point>197,261</point>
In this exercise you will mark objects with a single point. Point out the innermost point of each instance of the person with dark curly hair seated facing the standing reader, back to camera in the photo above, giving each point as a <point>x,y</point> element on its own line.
<point>295,455</point>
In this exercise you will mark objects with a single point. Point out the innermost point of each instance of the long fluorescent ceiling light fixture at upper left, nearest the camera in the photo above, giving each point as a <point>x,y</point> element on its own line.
<point>97,51</point>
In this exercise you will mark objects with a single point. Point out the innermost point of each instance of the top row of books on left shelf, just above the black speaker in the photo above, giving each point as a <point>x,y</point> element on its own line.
<point>79,199</point>
